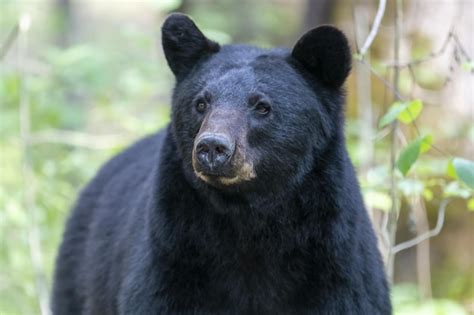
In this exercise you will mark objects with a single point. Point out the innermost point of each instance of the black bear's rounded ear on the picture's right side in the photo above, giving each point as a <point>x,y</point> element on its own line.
<point>324,51</point>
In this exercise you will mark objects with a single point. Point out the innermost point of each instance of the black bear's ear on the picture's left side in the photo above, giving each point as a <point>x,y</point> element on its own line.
<point>184,44</point>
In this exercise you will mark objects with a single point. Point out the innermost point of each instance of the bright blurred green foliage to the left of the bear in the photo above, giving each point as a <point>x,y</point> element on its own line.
<point>92,89</point>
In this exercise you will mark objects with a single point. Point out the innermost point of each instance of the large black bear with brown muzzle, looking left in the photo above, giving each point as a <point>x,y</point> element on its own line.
<point>246,204</point>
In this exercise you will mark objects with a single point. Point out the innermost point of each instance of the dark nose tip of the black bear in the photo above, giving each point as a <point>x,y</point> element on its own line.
<point>213,151</point>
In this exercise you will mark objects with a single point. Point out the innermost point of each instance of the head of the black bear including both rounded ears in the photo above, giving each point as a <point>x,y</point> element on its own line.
<point>240,112</point>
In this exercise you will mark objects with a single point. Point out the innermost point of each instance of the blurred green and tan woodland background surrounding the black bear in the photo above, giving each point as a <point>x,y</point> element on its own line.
<point>80,80</point>
